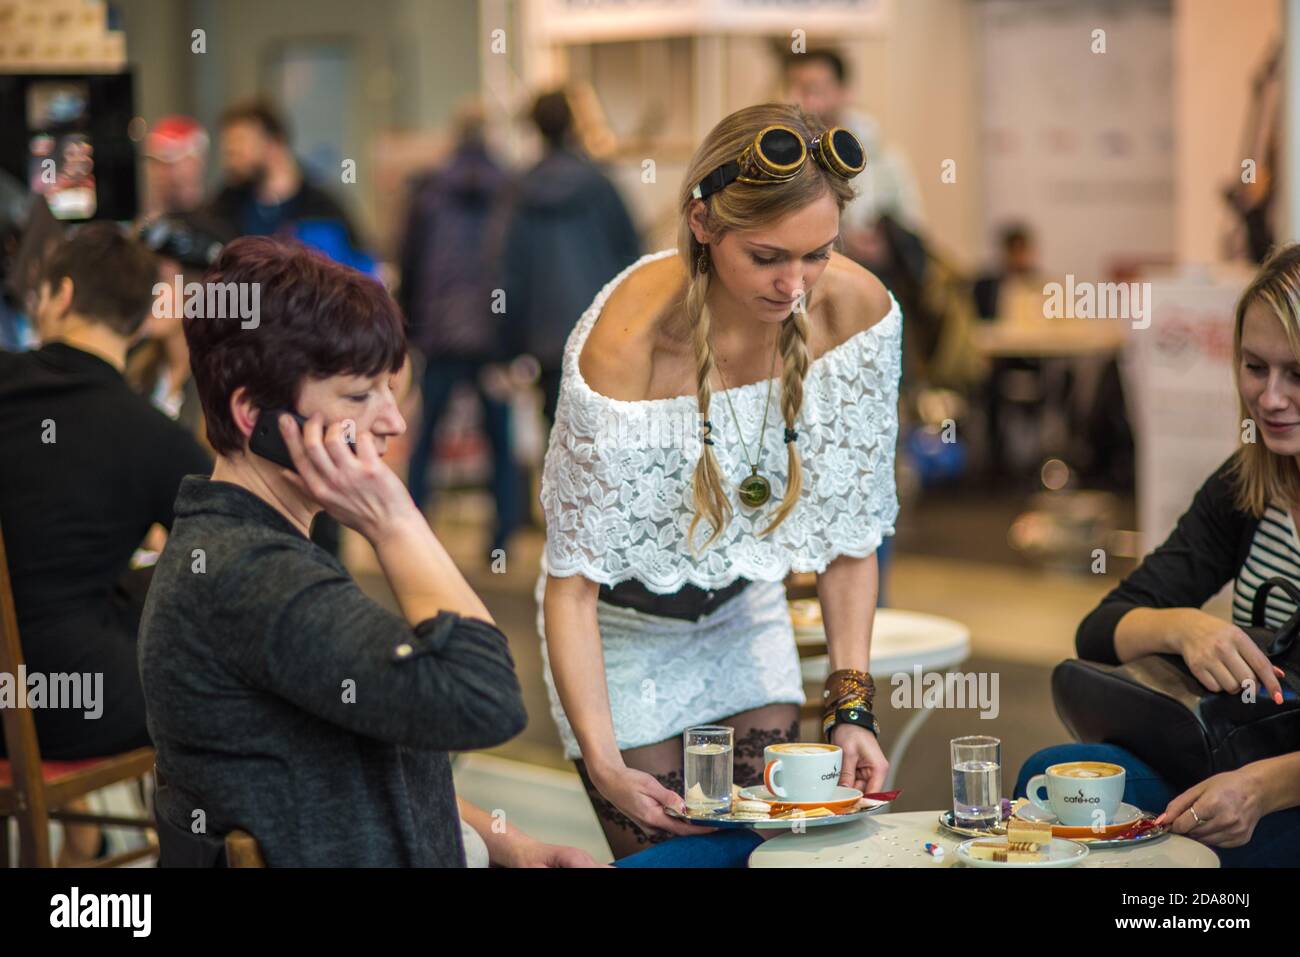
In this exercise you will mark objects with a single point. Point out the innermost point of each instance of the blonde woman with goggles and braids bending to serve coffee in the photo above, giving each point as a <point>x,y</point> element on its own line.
<point>662,599</point>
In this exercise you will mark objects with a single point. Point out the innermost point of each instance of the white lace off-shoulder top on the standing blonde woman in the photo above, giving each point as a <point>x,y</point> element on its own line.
<point>617,483</point>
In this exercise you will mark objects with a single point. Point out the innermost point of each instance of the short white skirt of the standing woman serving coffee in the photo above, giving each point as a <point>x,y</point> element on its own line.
<point>666,675</point>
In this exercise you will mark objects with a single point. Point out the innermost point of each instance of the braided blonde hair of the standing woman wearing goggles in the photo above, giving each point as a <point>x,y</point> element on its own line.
<point>744,207</point>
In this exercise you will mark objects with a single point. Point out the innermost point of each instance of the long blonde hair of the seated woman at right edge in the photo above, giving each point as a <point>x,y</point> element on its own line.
<point>1259,475</point>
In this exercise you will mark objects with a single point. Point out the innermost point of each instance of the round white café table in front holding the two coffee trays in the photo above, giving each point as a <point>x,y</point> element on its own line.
<point>898,841</point>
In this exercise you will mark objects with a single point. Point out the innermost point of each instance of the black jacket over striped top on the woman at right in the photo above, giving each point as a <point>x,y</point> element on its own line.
<point>1204,552</point>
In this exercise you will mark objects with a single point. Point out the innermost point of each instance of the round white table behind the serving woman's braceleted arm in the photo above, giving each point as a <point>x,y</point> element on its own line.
<point>900,643</point>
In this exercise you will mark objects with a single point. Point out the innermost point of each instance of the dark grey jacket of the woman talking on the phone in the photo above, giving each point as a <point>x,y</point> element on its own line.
<point>287,703</point>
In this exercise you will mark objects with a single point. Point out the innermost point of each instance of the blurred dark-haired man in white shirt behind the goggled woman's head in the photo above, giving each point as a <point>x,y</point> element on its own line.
<point>818,81</point>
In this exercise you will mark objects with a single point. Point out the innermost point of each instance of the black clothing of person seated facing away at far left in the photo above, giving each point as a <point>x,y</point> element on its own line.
<point>86,467</point>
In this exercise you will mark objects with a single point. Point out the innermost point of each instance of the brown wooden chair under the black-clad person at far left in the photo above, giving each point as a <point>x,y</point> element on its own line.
<point>36,793</point>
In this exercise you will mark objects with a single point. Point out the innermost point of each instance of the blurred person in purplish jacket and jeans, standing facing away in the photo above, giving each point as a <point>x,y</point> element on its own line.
<point>447,295</point>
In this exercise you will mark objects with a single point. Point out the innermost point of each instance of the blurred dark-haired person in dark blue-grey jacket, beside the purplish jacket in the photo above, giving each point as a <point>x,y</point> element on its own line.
<point>569,233</point>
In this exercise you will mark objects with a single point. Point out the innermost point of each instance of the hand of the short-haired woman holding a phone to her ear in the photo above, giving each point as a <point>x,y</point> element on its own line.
<point>358,490</point>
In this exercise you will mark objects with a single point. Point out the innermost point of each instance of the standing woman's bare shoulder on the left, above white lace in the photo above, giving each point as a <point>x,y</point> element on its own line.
<point>618,356</point>
